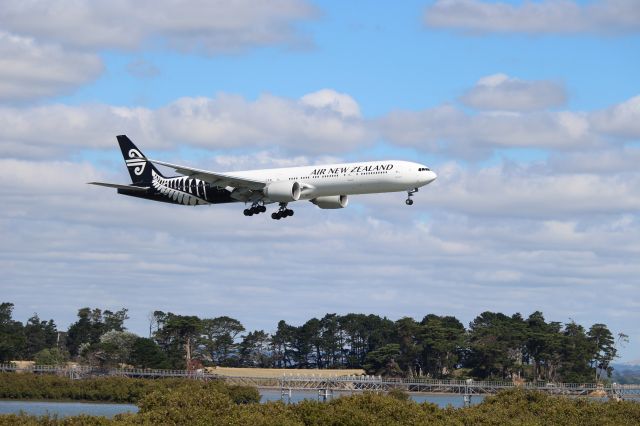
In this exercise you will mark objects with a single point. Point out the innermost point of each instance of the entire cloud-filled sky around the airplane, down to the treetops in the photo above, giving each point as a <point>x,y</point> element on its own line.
<point>528,111</point>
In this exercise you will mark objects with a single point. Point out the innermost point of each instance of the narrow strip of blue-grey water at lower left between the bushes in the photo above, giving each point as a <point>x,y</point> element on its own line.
<point>65,409</point>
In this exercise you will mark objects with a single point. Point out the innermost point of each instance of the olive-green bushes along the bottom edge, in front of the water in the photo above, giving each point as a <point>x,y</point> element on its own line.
<point>190,403</point>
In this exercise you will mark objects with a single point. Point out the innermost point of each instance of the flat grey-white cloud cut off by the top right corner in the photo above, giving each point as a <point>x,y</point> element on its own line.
<point>546,16</point>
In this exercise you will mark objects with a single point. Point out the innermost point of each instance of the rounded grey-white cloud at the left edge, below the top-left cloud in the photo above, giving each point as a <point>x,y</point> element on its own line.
<point>31,70</point>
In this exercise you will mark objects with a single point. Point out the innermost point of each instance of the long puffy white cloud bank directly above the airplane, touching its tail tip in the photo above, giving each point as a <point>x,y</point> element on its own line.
<point>223,122</point>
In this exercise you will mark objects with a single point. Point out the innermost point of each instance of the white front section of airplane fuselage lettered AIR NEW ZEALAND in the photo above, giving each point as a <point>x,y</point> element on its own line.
<point>348,178</point>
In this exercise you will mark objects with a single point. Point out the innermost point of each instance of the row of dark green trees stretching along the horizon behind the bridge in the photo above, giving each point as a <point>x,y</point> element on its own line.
<point>492,346</point>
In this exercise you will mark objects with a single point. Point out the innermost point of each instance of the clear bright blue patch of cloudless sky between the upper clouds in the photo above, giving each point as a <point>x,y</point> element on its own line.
<point>385,58</point>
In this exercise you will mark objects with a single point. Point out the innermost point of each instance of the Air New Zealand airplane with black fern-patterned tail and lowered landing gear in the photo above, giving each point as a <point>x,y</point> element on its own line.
<point>328,186</point>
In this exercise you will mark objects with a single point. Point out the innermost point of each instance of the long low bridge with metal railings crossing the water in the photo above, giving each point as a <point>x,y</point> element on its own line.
<point>326,387</point>
